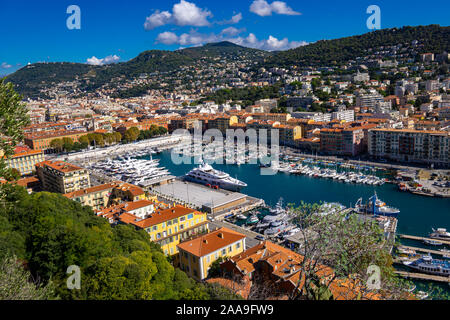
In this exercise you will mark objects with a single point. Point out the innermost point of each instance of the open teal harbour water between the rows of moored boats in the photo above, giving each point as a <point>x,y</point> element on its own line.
<point>418,214</point>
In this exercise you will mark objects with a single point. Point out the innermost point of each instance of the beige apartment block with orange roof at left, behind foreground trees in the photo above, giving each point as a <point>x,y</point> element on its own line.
<point>62,177</point>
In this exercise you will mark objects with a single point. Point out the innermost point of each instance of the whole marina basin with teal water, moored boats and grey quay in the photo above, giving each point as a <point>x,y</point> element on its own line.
<point>261,212</point>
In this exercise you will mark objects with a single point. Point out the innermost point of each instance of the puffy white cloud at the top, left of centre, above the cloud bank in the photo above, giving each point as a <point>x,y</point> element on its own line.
<point>183,14</point>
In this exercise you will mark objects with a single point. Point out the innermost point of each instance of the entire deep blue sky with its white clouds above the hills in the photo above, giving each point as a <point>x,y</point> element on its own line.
<point>113,30</point>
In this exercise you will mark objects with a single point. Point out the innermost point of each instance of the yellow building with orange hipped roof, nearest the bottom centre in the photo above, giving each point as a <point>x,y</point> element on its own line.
<point>197,255</point>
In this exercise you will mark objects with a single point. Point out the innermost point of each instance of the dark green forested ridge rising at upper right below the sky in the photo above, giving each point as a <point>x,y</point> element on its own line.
<point>434,38</point>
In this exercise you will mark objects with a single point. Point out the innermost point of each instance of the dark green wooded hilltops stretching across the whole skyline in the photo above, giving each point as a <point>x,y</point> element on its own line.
<point>30,79</point>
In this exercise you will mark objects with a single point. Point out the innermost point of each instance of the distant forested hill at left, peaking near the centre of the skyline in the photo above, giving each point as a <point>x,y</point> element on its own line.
<point>30,79</point>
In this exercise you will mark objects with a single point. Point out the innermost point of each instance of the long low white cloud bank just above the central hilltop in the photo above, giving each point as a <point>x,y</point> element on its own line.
<point>194,38</point>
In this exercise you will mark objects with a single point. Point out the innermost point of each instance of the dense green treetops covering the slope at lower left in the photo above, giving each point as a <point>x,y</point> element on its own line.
<point>48,233</point>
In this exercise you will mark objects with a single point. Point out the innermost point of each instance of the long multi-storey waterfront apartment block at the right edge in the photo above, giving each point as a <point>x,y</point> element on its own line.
<point>431,147</point>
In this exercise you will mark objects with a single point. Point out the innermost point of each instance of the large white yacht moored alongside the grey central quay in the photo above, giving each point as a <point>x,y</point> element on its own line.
<point>207,175</point>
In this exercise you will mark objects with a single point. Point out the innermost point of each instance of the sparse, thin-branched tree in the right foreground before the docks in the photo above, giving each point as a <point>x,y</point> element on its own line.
<point>348,245</point>
